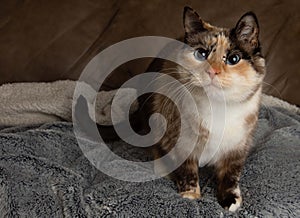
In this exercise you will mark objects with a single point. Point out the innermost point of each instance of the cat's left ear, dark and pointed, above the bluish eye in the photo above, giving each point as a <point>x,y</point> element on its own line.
<point>192,22</point>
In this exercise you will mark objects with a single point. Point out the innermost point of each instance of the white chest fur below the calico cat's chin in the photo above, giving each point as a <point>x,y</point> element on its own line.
<point>226,125</point>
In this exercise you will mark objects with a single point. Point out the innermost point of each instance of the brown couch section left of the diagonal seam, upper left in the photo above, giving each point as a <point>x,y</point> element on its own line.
<point>42,41</point>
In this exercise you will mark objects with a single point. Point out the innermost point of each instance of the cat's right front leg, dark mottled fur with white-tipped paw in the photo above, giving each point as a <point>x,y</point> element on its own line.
<point>228,171</point>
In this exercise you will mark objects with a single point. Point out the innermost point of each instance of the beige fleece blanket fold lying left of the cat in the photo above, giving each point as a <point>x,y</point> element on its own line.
<point>37,103</point>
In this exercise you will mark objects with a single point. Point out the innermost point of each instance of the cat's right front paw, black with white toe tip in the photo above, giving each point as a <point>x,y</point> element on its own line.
<point>230,200</point>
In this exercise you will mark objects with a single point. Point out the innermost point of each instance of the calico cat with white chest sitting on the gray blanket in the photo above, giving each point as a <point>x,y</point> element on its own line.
<point>222,64</point>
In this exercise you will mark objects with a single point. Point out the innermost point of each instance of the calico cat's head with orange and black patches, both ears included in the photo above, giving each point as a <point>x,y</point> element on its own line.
<point>224,60</point>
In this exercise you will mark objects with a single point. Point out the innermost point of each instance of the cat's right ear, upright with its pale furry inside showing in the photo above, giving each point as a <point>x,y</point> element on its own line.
<point>247,31</point>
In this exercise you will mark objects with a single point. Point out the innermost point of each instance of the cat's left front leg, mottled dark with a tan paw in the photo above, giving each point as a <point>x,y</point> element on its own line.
<point>186,177</point>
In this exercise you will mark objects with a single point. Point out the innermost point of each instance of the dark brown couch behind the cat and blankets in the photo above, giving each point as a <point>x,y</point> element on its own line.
<point>51,40</point>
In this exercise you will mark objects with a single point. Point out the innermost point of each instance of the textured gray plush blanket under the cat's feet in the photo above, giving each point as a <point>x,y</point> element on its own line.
<point>43,173</point>
